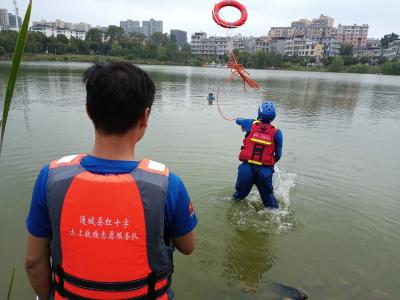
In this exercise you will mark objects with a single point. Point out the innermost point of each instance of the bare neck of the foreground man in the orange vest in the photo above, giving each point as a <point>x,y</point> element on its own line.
<point>114,147</point>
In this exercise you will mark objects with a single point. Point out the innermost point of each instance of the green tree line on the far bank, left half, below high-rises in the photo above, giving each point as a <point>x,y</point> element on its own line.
<point>114,42</point>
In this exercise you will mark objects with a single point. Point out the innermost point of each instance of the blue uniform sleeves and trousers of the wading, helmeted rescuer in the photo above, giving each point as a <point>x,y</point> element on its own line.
<point>261,176</point>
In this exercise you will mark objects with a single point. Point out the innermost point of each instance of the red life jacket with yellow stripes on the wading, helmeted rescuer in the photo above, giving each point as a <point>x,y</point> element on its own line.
<point>259,145</point>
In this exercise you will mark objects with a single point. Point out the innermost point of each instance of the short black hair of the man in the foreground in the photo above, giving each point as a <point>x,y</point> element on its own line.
<point>118,95</point>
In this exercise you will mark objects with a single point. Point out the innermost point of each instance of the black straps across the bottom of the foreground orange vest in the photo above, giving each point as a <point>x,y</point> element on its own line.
<point>149,281</point>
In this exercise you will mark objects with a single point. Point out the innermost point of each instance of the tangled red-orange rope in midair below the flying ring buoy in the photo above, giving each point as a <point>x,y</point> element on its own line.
<point>237,70</point>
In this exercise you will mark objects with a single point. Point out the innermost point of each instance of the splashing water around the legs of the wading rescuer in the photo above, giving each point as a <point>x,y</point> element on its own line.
<point>250,212</point>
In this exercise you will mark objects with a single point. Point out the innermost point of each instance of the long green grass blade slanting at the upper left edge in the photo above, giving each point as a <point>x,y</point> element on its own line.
<point>16,62</point>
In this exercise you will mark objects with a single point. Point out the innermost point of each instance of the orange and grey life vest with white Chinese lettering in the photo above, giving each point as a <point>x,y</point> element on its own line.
<point>108,232</point>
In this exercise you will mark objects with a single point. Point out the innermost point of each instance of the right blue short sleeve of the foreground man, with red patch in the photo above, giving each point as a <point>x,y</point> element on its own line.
<point>180,214</point>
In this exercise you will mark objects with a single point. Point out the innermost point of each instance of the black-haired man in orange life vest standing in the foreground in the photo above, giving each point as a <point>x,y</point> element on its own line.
<point>109,223</point>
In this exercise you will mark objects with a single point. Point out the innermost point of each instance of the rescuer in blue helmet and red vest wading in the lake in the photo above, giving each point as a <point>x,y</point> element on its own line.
<point>262,148</point>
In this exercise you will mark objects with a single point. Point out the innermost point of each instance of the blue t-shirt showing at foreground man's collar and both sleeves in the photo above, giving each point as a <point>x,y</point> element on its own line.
<point>179,216</point>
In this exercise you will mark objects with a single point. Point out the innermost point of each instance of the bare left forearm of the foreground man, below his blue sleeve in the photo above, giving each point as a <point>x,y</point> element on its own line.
<point>37,265</point>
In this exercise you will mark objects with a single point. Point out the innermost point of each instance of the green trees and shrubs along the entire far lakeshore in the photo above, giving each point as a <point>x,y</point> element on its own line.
<point>162,49</point>
